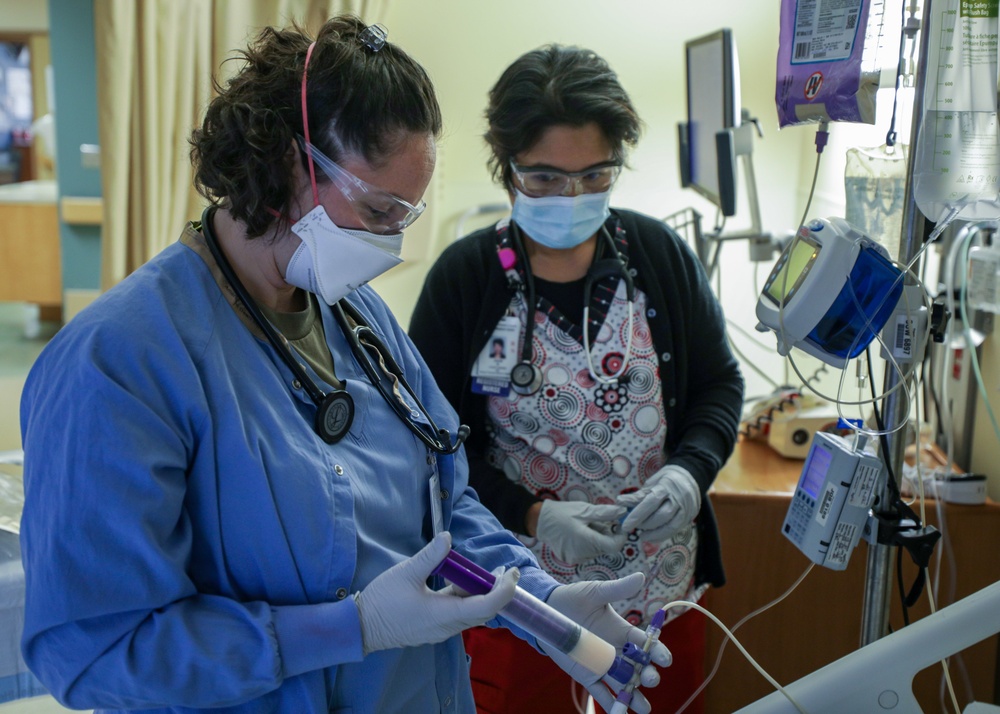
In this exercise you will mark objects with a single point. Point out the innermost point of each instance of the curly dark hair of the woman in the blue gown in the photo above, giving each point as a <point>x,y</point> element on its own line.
<point>360,102</point>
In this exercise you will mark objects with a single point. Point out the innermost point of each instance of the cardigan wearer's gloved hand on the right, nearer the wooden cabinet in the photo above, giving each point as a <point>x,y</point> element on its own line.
<point>667,502</point>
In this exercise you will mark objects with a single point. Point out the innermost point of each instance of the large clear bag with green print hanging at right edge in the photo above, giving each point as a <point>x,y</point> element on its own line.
<point>957,154</point>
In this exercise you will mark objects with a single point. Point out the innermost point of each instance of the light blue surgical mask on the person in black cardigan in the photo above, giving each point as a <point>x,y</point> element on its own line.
<point>561,221</point>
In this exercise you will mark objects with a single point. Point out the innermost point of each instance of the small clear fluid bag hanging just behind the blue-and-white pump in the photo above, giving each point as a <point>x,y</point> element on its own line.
<point>875,188</point>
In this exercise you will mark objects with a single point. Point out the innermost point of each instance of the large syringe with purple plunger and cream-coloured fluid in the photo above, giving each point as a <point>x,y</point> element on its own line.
<point>539,619</point>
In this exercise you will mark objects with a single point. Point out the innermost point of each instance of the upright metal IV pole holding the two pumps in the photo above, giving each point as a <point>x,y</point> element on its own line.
<point>878,582</point>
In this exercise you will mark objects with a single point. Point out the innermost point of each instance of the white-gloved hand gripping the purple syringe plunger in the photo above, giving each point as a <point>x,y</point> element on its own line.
<point>397,609</point>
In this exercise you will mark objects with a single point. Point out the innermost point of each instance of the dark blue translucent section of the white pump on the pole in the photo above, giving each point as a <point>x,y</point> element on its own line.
<point>861,309</point>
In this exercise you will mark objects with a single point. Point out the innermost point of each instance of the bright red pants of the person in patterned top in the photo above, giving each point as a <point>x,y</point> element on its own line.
<point>510,677</point>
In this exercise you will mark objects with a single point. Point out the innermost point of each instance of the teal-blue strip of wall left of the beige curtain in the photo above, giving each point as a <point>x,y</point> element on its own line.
<point>74,67</point>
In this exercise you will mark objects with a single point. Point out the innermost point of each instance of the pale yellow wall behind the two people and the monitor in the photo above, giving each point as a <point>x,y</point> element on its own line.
<point>466,45</point>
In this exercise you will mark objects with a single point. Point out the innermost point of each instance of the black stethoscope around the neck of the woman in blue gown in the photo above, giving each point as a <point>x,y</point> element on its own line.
<point>335,409</point>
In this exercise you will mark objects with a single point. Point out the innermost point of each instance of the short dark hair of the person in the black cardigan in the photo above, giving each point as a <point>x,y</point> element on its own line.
<point>556,85</point>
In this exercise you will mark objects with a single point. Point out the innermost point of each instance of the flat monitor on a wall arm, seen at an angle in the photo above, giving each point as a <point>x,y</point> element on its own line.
<point>707,144</point>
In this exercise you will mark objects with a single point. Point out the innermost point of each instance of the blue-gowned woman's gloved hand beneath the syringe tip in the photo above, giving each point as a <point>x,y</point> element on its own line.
<point>587,603</point>
